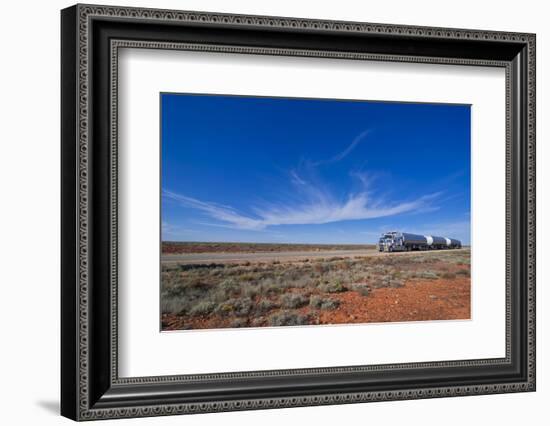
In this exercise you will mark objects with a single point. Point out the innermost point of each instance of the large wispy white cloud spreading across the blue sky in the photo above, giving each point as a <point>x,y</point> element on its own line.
<point>310,202</point>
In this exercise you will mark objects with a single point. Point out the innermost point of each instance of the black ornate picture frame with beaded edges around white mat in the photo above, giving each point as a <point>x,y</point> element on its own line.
<point>91,387</point>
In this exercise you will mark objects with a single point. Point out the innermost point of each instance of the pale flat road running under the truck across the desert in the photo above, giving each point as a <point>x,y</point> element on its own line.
<point>270,257</point>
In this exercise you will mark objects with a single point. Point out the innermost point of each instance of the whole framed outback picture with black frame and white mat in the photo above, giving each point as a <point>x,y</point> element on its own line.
<point>263,212</point>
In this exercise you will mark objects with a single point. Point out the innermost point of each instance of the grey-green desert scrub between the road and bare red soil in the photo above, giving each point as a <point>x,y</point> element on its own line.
<point>292,293</point>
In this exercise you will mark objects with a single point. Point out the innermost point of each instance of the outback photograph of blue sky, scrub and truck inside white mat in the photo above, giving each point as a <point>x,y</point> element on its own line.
<point>303,212</point>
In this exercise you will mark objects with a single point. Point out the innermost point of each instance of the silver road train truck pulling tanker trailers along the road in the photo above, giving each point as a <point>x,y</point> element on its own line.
<point>403,241</point>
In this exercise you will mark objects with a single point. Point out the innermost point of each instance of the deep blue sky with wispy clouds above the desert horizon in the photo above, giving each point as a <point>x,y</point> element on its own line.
<point>251,169</point>
